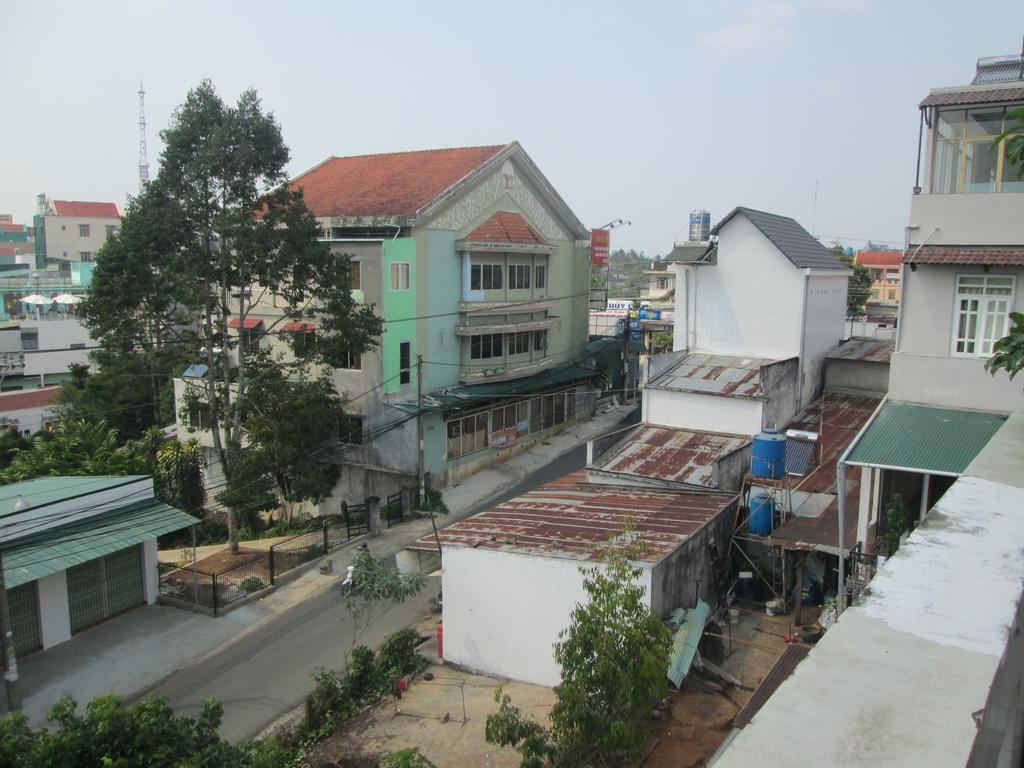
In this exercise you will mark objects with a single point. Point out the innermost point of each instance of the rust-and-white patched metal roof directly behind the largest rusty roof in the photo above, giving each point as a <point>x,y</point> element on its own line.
<point>682,456</point>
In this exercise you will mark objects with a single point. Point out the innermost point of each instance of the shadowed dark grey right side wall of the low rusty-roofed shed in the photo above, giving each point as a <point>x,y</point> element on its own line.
<point>690,572</point>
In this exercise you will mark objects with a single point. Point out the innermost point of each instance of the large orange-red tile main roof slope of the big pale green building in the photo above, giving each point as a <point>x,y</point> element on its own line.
<point>394,185</point>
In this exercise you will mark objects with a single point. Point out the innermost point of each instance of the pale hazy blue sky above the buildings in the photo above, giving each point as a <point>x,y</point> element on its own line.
<point>633,111</point>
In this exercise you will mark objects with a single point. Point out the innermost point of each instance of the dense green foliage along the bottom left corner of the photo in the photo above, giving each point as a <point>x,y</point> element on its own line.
<point>150,734</point>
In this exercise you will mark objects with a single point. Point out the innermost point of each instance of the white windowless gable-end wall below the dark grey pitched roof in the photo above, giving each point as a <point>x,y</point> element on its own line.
<point>751,304</point>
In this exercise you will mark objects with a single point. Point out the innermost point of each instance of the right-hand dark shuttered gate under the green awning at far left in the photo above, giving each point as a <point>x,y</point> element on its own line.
<point>105,587</point>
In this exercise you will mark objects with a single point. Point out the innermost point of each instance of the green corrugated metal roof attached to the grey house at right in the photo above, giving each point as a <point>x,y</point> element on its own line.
<point>925,439</point>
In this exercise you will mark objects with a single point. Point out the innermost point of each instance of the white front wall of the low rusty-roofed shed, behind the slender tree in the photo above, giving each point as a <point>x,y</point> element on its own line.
<point>503,611</point>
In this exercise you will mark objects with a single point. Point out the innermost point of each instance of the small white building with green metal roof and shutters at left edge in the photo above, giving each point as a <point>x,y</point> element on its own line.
<point>78,551</point>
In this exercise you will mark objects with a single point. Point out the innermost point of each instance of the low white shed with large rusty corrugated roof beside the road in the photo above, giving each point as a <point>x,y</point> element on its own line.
<point>513,575</point>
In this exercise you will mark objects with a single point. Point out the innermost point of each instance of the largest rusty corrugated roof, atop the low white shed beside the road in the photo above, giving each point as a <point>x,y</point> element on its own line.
<point>573,520</point>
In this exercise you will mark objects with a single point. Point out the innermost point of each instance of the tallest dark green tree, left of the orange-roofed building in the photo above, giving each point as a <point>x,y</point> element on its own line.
<point>227,236</point>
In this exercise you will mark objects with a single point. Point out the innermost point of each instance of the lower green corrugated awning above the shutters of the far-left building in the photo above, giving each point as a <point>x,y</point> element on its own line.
<point>58,549</point>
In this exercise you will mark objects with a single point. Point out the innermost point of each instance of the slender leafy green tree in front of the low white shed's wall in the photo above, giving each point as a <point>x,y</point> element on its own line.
<point>614,659</point>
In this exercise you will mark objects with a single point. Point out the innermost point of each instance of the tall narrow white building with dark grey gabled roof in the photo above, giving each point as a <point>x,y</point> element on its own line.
<point>765,290</point>
